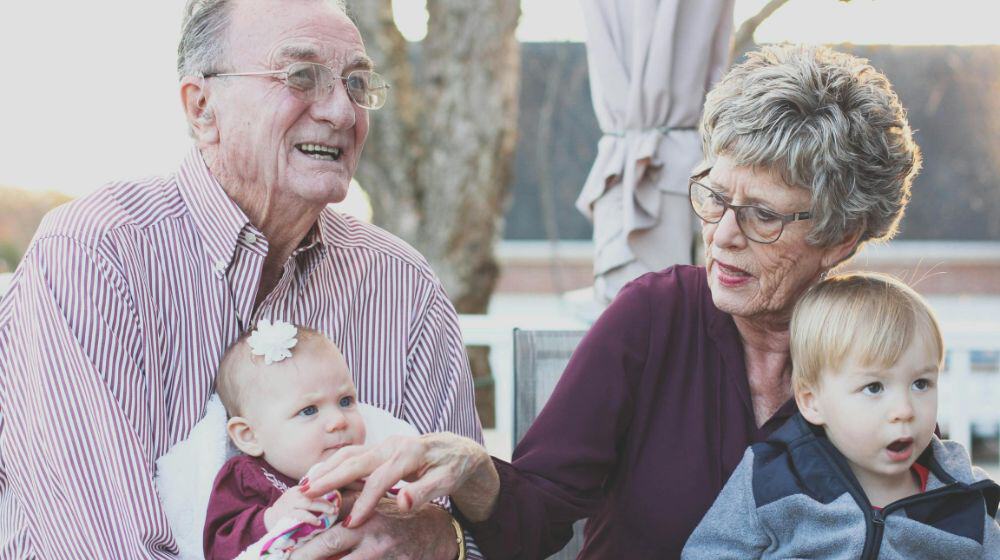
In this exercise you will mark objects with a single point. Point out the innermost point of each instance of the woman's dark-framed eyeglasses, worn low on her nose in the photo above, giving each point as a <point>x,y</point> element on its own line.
<point>757,223</point>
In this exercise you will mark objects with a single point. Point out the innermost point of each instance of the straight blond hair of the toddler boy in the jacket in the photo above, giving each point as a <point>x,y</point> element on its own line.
<point>869,317</point>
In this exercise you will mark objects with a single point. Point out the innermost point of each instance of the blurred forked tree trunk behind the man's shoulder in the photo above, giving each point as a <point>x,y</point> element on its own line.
<point>438,158</point>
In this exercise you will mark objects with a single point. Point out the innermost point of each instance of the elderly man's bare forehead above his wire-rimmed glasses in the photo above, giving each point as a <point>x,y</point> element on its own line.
<point>271,33</point>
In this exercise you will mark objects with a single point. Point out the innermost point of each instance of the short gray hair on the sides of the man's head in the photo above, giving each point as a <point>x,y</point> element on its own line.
<point>202,46</point>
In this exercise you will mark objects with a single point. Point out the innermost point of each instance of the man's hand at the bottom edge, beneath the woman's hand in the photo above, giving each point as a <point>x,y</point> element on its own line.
<point>426,533</point>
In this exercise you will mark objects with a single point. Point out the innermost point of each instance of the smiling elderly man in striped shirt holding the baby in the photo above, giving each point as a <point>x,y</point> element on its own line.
<point>116,320</point>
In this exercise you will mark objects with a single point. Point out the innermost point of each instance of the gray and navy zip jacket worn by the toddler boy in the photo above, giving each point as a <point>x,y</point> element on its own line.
<point>794,496</point>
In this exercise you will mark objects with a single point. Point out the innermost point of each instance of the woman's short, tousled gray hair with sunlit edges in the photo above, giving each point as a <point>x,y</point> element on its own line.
<point>822,120</point>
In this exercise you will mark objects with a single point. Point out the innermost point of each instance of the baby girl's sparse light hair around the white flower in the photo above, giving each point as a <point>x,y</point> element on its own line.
<point>239,367</point>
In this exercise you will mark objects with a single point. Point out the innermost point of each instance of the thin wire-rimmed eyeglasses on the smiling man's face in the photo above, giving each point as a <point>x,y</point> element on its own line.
<point>311,82</point>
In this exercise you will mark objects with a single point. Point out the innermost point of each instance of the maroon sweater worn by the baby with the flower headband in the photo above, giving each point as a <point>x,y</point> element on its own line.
<point>243,489</point>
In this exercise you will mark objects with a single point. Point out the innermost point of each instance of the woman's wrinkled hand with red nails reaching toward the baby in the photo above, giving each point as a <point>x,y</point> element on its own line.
<point>436,465</point>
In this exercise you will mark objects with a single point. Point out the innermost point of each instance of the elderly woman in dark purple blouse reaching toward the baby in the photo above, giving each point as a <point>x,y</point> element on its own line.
<point>808,156</point>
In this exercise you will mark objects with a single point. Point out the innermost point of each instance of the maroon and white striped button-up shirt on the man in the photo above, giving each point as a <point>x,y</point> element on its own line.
<point>115,323</point>
